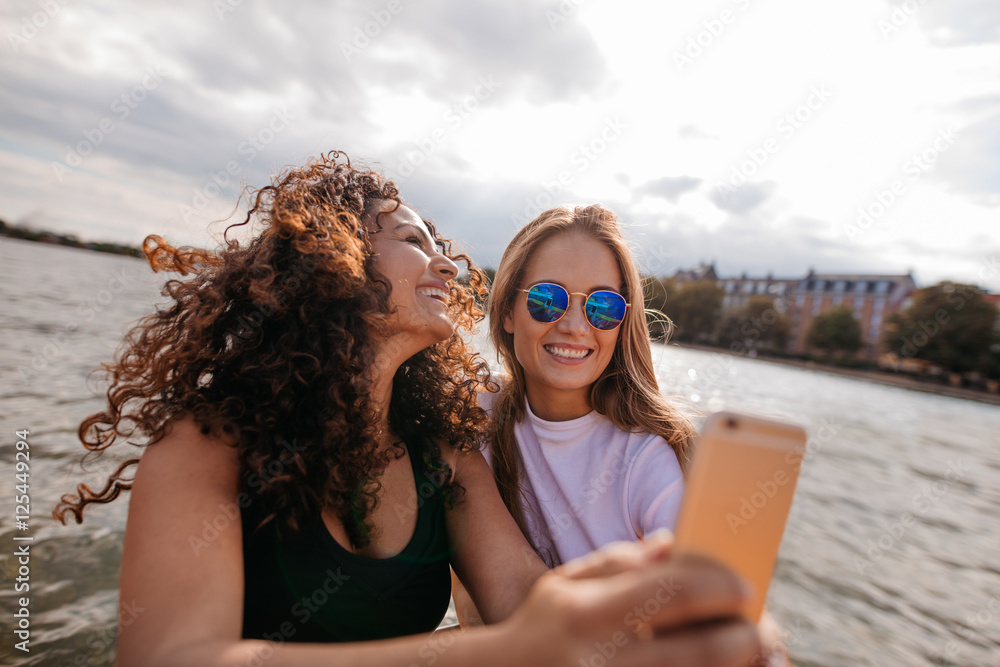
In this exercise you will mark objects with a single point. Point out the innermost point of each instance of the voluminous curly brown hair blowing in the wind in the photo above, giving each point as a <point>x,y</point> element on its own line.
<point>272,343</point>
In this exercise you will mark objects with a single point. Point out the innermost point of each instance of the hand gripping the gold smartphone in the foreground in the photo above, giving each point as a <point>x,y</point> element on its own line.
<point>643,608</point>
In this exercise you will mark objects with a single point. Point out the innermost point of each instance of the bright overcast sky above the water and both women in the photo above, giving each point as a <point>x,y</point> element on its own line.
<point>764,135</point>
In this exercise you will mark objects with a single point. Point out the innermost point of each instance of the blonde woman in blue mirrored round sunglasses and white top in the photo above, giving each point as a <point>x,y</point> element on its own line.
<point>584,448</point>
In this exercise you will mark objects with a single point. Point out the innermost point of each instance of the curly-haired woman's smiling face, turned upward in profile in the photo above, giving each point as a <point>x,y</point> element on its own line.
<point>406,255</point>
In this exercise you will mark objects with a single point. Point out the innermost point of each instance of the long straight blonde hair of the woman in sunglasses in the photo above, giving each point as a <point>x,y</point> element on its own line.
<point>626,393</point>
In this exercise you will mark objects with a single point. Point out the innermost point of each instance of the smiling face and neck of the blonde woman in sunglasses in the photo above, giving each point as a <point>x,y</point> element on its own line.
<point>563,358</point>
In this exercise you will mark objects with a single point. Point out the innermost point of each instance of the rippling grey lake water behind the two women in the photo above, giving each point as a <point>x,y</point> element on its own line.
<point>891,555</point>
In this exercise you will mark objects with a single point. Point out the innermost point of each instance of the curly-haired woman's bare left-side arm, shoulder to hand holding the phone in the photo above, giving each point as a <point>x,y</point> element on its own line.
<point>188,606</point>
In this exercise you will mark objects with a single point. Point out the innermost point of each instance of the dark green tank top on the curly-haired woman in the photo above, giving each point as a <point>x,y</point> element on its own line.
<point>311,589</point>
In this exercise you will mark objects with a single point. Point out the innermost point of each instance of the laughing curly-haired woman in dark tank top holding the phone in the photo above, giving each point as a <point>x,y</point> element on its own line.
<point>313,380</point>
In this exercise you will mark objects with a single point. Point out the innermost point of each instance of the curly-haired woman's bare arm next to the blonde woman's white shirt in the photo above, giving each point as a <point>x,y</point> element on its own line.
<point>492,559</point>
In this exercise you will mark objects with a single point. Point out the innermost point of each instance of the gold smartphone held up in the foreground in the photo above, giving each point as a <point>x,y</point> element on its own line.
<point>739,492</point>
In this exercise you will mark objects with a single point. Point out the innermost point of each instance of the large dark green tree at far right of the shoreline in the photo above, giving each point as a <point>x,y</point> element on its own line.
<point>948,324</point>
